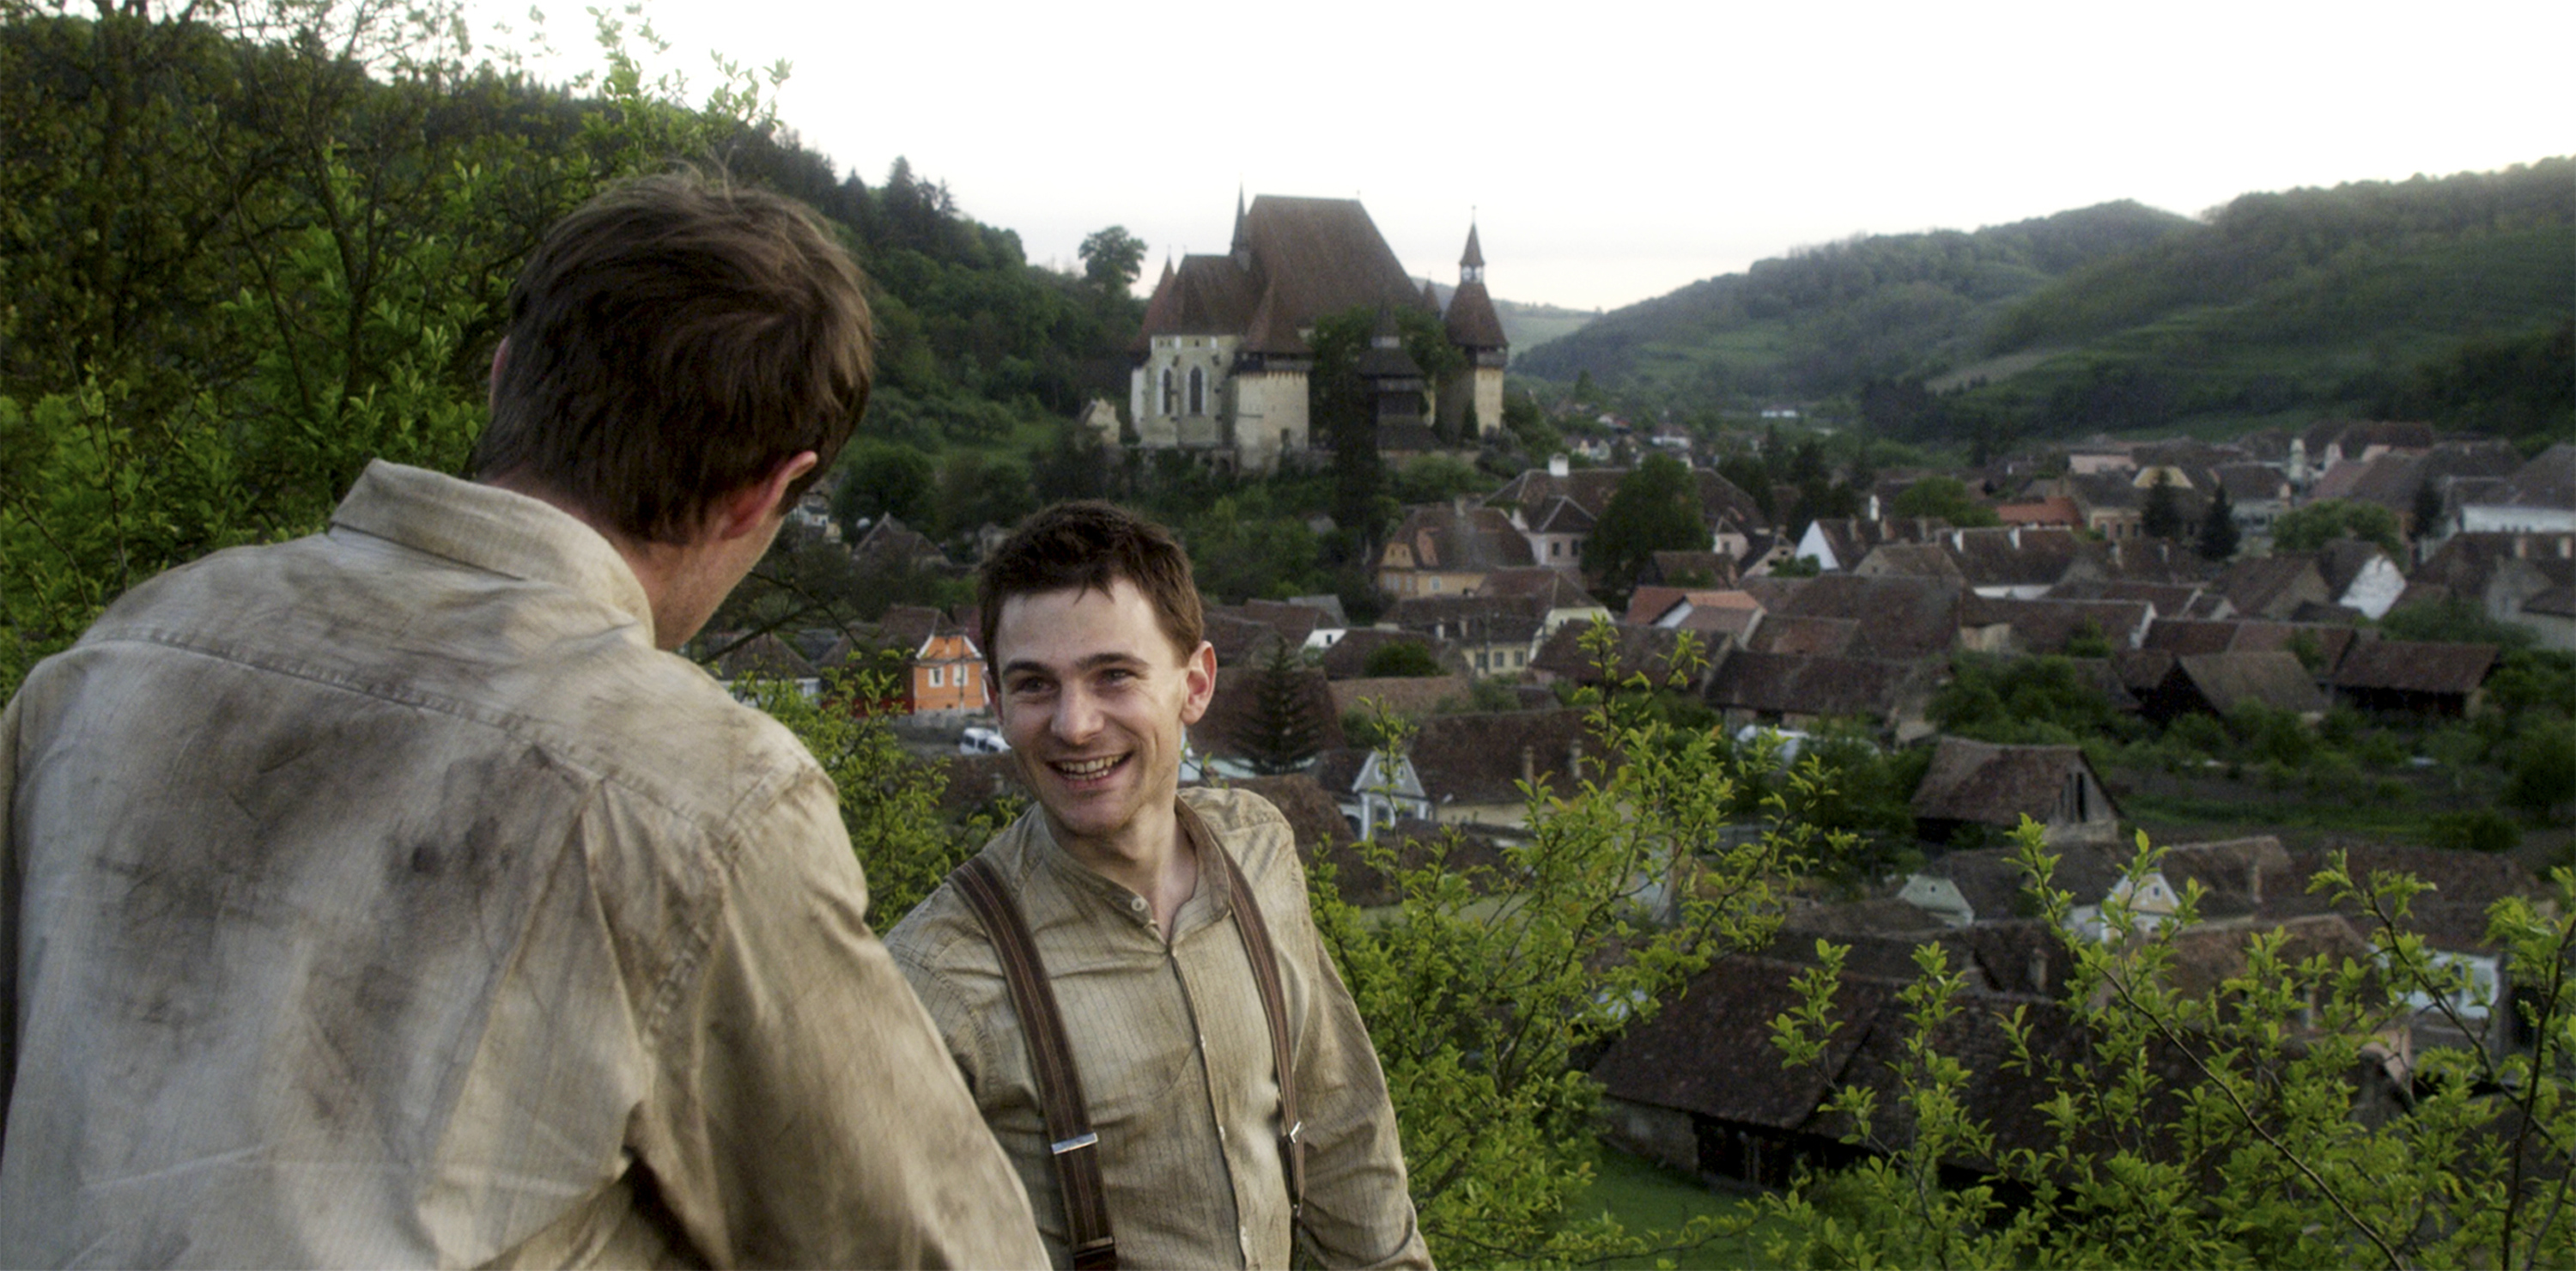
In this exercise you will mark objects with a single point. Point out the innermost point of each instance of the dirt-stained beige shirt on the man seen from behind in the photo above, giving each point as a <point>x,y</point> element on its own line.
<point>385,898</point>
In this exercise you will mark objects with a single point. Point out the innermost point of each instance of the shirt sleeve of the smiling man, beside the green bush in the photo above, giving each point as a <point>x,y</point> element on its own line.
<point>1359,1208</point>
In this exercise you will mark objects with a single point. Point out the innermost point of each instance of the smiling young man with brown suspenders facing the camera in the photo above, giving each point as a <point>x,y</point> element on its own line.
<point>1148,917</point>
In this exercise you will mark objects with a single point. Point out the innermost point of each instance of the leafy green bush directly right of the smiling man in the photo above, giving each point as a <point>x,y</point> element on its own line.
<point>1490,984</point>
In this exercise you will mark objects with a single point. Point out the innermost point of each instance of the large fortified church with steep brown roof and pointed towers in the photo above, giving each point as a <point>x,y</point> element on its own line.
<point>1225,349</point>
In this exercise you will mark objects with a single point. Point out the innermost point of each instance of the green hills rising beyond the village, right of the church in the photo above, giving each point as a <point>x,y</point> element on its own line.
<point>2366,298</point>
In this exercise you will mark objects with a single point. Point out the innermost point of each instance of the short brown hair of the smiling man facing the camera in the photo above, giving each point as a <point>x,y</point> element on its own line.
<point>1091,548</point>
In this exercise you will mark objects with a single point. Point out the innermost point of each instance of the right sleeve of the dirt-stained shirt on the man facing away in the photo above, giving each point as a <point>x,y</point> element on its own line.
<point>810,1112</point>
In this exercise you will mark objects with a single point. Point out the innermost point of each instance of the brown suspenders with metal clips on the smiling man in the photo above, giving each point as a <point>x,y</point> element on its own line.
<point>1060,1087</point>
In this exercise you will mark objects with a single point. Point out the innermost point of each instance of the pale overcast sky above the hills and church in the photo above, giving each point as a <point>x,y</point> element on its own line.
<point>1619,151</point>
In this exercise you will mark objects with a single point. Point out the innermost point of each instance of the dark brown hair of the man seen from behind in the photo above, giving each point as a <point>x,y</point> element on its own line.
<point>671,344</point>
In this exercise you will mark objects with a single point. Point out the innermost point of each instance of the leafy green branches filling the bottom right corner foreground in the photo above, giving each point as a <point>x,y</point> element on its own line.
<point>2211,1128</point>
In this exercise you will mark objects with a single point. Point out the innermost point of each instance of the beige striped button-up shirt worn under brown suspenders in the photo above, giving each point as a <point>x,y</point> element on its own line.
<point>1176,1053</point>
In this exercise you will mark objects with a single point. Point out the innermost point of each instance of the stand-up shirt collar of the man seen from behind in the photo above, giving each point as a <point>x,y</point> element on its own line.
<point>491,530</point>
